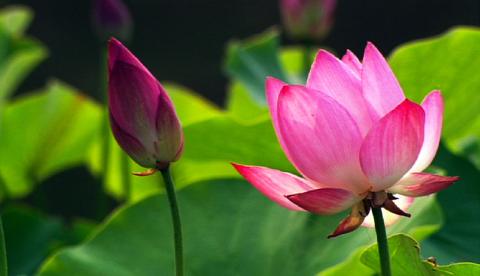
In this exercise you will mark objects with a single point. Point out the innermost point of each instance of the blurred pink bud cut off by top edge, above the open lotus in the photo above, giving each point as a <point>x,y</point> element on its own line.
<point>309,20</point>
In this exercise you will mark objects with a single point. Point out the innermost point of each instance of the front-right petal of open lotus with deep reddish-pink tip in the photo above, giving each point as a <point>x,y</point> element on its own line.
<point>392,146</point>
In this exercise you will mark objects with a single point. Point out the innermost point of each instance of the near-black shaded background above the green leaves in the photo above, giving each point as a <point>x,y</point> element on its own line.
<point>184,41</point>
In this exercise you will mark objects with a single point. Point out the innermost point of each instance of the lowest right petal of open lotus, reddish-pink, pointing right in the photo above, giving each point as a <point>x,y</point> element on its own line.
<point>422,184</point>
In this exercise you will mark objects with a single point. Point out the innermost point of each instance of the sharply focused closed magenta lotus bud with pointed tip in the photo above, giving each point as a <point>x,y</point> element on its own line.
<point>142,116</point>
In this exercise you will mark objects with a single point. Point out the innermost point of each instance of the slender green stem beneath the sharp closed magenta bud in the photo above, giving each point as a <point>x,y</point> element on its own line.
<point>177,227</point>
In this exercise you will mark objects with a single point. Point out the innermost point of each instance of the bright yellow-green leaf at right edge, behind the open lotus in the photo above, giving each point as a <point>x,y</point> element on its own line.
<point>449,63</point>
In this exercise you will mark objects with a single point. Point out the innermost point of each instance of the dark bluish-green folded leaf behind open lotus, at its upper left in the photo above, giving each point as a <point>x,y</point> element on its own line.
<point>251,61</point>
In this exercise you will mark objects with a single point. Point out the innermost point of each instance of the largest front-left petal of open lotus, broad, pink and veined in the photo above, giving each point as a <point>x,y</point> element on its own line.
<point>322,139</point>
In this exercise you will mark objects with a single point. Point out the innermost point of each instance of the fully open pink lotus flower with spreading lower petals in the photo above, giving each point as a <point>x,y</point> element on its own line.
<point>355,139</point>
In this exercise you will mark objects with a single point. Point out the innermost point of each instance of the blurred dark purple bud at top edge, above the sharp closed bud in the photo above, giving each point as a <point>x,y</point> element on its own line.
<point>112,18</point>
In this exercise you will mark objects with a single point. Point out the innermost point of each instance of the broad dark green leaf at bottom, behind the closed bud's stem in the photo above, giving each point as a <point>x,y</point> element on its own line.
<point>229,229</point>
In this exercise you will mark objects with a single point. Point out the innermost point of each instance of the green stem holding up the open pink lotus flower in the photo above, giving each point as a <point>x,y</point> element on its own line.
<point>382,241</point>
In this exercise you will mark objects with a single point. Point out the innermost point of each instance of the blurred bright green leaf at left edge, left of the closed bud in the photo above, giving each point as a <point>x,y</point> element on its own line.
<point>43,133</point>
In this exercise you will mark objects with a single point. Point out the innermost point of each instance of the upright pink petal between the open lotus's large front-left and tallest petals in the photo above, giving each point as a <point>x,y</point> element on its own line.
<point>332,77</point>
